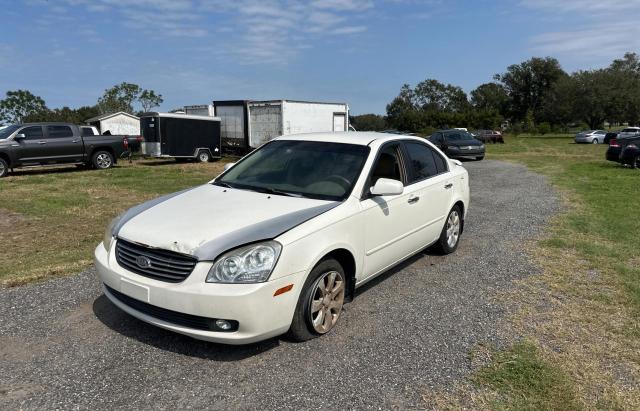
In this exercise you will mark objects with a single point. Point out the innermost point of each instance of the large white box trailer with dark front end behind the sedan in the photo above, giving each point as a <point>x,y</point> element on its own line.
<point>247,124</point>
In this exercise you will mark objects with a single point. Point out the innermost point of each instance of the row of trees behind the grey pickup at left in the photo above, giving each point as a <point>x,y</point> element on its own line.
<point>22,106</point>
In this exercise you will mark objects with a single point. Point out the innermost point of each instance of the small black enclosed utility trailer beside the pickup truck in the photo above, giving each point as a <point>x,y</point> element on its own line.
<point>180,136</point>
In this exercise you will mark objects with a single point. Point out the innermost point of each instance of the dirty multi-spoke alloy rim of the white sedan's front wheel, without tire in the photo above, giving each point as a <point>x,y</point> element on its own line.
<point>326,301</point>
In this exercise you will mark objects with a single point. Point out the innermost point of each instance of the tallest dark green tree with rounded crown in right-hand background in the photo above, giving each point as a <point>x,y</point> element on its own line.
<point>527,84</point>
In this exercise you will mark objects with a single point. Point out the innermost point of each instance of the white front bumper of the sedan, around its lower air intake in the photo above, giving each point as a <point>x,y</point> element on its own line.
<point>260,315</point>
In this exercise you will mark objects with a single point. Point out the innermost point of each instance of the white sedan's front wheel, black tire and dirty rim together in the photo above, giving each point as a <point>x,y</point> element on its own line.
<point>315,287</point>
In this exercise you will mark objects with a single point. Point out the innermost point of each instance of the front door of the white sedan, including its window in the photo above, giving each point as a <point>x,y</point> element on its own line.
<point>386,219</point>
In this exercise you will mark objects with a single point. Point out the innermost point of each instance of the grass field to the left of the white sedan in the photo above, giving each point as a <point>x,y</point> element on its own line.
<point>51,219</point>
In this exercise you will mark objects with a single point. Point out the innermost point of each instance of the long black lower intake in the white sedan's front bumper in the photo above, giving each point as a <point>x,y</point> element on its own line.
<point>173,317</point>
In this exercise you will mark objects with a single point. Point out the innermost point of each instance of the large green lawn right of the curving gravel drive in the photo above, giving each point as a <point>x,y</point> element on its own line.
<point>601,221</point>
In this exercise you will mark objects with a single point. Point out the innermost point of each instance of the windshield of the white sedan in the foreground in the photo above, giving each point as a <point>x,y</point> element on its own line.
<point>311,169</point>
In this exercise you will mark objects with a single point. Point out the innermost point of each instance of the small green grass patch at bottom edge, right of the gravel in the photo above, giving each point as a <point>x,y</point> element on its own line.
<point>524,381</point>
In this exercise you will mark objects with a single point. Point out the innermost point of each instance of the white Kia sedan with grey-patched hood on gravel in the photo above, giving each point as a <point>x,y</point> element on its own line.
<point>280,241</point>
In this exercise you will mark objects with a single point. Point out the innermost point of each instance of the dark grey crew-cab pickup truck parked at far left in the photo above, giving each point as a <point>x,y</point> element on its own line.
<point>34,144</point>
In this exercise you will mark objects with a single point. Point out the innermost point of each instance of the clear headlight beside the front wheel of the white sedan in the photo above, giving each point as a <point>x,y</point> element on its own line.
<point>249,264</point>
